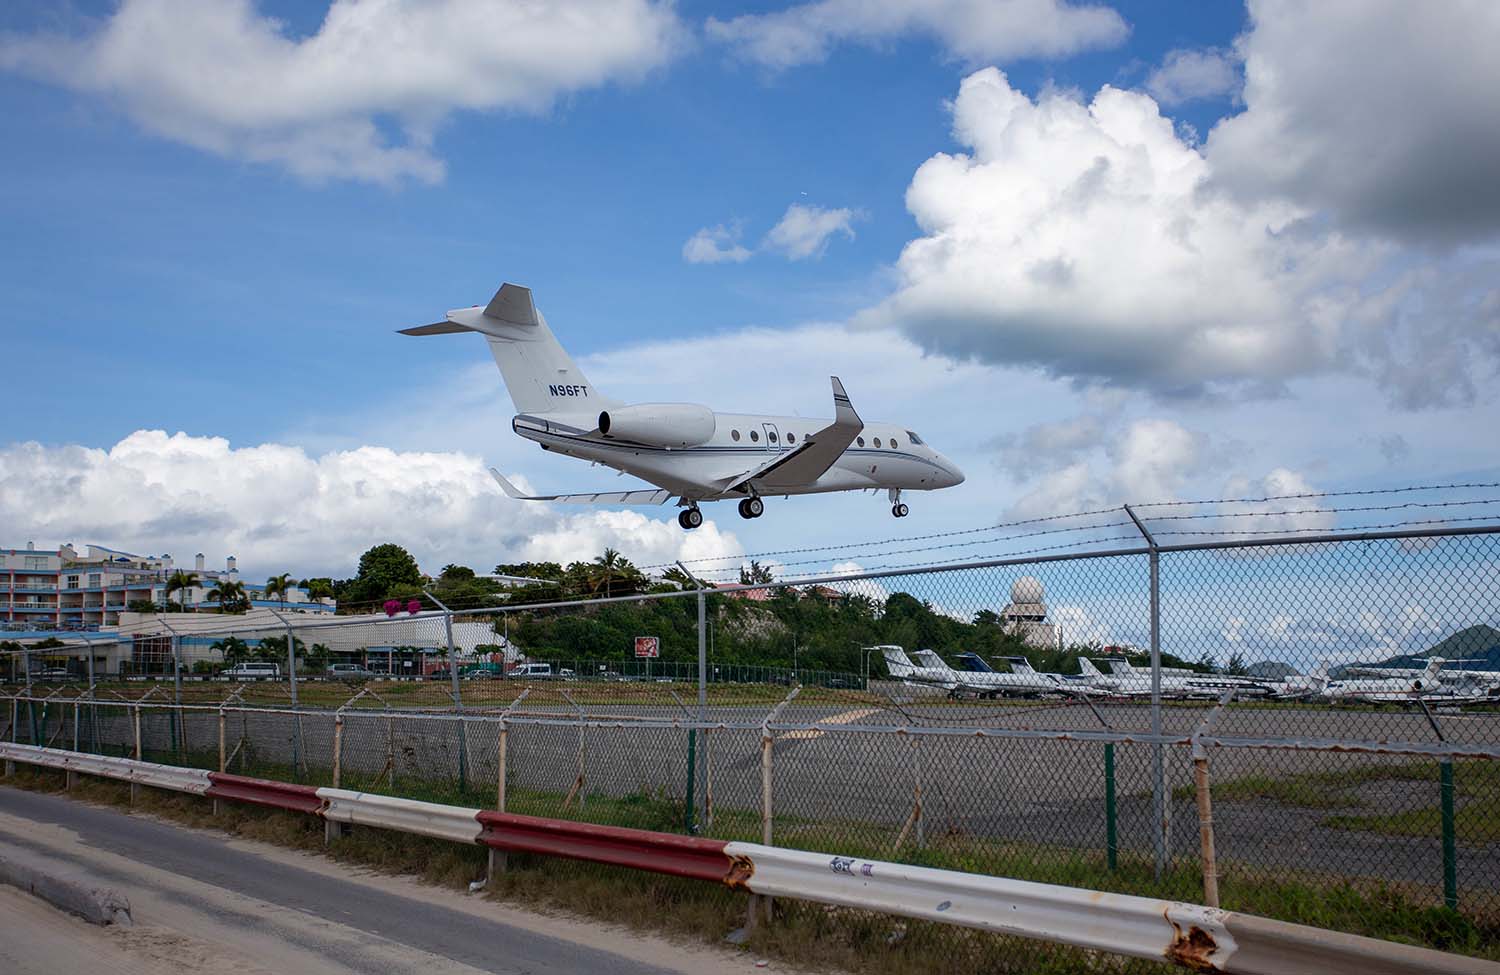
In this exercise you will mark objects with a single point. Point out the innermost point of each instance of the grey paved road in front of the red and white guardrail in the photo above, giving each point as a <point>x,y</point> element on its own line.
<point>206,904</point>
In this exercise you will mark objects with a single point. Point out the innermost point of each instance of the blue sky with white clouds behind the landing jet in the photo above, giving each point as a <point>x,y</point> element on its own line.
<point>172,266</point>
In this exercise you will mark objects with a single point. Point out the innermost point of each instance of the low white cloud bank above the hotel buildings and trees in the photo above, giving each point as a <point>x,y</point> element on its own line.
<point>280,509</point>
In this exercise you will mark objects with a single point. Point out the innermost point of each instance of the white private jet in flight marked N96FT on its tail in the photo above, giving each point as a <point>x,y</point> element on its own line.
<point>686,451</point>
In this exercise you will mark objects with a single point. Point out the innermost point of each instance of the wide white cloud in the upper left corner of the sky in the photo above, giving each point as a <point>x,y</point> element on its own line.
<point>223,77</point>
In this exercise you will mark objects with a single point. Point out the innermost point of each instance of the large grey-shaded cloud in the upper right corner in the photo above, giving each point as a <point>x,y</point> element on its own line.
<point>1381,113</point>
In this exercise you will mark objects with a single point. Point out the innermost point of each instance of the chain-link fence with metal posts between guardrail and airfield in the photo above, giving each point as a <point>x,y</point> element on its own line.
<point>1250,721</point>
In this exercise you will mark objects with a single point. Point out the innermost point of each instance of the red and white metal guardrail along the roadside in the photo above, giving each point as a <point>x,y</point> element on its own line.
<point>1199,938</point>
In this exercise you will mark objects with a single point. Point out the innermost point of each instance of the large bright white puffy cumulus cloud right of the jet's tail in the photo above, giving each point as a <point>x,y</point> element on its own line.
<point>1088,239</point>
